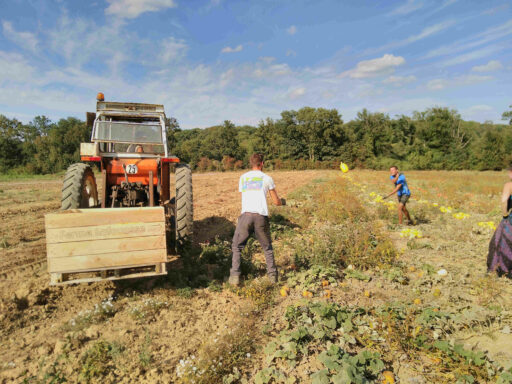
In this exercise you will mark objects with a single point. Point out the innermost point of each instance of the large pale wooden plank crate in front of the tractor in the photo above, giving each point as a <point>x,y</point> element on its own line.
<point>105,244</point>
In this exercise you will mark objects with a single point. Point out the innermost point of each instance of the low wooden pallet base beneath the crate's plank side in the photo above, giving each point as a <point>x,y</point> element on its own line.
<point>108,274</point>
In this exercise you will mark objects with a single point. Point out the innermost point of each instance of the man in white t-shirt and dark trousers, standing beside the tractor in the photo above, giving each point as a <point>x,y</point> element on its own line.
<point>254,186</point>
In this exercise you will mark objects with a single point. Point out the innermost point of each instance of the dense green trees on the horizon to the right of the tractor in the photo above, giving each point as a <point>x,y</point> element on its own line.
<point>318,138</point>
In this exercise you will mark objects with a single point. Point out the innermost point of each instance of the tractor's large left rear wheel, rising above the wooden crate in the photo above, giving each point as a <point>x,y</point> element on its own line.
<point>79,189</point>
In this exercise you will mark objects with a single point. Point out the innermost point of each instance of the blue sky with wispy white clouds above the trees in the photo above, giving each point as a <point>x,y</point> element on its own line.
<point>212,60</point>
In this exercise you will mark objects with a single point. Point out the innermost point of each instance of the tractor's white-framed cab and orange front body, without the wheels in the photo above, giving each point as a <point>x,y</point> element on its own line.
<point>129,140</point>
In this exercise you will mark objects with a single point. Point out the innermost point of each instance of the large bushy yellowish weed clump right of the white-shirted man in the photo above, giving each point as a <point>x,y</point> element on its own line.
<point>342,232</point>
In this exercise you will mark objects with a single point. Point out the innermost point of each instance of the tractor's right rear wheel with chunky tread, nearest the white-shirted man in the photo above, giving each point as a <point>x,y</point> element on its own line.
<point>184,219</point>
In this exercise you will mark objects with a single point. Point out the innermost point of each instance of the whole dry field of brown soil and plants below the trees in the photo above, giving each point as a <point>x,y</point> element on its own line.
<point>356,287</point>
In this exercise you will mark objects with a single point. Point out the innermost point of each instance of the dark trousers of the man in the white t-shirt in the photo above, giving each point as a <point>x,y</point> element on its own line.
<point>247,223</point>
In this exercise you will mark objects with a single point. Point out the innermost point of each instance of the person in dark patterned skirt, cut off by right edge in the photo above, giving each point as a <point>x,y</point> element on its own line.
<point>499,259</point>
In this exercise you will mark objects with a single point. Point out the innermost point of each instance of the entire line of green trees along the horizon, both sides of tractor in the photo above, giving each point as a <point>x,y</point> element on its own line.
<point>436,138</point>
